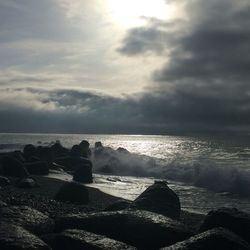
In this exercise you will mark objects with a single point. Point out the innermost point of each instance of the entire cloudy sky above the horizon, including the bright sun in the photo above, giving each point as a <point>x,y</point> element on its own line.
<point>125,67</point>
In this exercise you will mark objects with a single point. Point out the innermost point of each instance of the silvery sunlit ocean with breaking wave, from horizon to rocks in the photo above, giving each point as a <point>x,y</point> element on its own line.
<point>206,172</point>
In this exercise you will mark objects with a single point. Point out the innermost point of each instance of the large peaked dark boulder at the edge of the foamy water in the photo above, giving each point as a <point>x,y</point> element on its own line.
<point>159,198</point>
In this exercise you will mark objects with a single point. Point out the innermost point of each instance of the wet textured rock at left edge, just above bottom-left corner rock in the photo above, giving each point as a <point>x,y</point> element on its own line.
<point>29,218</point>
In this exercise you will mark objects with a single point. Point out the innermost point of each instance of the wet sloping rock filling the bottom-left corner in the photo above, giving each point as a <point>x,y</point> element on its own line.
<point>14,237</point>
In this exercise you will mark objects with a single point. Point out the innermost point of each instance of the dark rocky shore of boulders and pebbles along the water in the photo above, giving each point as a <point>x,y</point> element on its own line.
<point>38,212</point>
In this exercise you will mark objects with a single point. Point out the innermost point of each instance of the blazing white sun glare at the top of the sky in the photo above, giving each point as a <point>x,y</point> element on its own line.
<point>129,13</point>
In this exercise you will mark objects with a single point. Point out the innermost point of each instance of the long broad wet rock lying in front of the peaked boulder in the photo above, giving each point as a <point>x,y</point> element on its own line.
<point>142,229</point>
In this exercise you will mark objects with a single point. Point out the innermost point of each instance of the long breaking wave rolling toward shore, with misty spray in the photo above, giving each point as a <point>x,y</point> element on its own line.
<point>200,173</point>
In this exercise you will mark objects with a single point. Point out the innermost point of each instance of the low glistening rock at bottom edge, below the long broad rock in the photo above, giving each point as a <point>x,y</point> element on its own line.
<point>79,239</point>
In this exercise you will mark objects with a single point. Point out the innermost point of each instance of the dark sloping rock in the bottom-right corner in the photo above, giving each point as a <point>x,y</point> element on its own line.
<point>216,239</point>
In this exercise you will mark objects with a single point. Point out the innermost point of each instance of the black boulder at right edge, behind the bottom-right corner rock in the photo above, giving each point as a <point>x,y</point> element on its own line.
<point>230,218</point>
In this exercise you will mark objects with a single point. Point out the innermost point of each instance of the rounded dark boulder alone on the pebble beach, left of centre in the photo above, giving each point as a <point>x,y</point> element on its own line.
<point>73,192</point>
